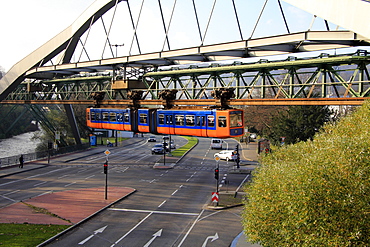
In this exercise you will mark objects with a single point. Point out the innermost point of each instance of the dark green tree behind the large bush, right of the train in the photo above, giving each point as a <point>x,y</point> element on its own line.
<point>298,123</point>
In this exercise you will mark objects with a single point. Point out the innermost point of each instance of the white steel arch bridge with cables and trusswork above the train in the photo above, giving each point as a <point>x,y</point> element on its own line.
<point>136,40</point>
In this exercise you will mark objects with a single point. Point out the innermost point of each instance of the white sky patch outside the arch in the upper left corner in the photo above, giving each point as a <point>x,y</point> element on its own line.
<point>28,24</point>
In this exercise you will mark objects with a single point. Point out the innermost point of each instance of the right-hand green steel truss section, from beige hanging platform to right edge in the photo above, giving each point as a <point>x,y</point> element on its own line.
<point>338,76</point>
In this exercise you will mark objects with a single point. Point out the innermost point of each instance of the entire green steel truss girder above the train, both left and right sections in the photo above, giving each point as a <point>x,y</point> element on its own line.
<point>324,76</point>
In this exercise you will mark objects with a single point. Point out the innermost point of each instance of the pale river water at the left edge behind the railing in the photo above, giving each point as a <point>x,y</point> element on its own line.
<point>17,145</point>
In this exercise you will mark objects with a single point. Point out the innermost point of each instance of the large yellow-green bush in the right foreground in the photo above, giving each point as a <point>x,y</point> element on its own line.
<point>314,193</point>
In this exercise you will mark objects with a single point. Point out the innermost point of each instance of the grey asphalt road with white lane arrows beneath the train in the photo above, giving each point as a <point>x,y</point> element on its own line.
<point>169,208</point>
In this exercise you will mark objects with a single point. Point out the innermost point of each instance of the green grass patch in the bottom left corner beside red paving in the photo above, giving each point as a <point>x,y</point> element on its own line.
<point>27,234</point>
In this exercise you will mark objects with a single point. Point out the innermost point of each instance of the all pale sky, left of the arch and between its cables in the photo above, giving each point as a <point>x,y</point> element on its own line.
<point>28,24</point>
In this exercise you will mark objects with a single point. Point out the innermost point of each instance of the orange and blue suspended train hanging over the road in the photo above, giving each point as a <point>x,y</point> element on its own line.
<point>204,123</point>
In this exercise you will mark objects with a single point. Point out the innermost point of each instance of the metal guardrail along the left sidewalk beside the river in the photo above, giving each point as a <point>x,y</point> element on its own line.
<point>14,160</point>
